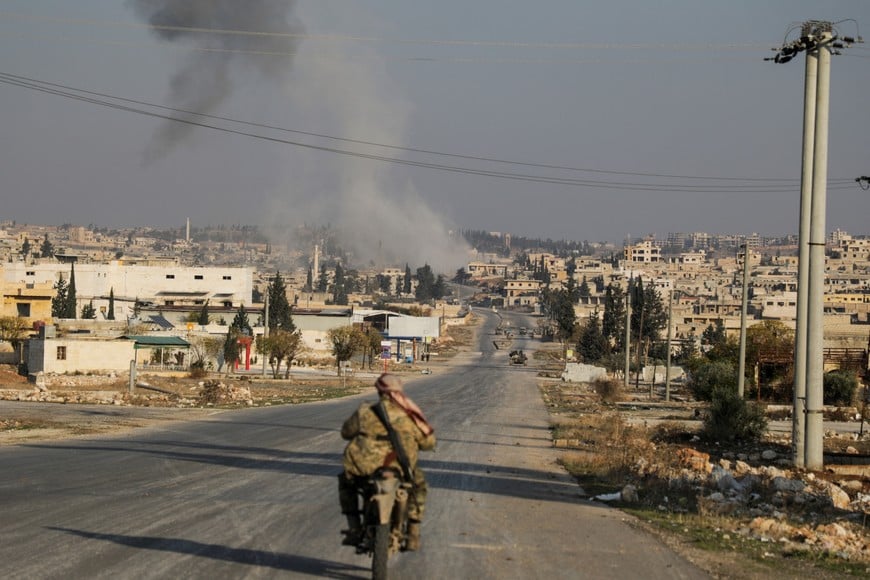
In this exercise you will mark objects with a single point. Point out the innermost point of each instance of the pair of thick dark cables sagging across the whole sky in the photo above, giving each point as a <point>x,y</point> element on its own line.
<point>775,186</point>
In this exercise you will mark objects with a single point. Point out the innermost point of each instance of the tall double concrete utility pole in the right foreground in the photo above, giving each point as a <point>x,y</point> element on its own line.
<point>820,40</point>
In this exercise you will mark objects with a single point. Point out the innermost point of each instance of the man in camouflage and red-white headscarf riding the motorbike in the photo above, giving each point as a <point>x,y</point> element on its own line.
<point>369,449</point>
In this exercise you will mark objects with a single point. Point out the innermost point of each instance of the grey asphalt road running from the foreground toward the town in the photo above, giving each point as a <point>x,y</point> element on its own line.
<point>253,494</point>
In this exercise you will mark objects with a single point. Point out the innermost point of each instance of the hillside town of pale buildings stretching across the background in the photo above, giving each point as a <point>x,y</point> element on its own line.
<point>183,288</point>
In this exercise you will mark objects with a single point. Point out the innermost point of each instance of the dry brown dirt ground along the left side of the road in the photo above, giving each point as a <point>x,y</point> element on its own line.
<point>79,405</point>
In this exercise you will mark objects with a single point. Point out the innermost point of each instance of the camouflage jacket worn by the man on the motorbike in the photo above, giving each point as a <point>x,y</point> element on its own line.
<point>369,444</point>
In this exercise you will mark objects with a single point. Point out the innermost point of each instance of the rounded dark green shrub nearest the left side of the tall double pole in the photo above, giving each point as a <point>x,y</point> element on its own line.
<point>732,419</point>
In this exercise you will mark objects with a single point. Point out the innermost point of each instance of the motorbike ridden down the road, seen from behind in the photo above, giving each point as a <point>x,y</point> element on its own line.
<point>384,518</point>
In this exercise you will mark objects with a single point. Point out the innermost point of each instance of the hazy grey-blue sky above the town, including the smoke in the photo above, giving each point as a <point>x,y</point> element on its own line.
<point>627,90</point>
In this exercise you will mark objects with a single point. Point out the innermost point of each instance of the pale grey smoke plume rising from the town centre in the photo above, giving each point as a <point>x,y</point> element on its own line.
<point>347,89</point>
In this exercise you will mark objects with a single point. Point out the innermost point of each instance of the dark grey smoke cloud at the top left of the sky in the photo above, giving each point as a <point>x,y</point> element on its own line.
<point>204,79</point>
